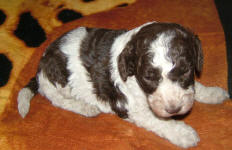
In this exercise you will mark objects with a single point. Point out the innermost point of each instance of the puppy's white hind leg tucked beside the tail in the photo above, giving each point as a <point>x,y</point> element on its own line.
<point>61,97</point>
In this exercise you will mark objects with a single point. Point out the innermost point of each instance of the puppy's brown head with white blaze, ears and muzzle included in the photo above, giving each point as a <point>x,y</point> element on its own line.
<point>164,58</point>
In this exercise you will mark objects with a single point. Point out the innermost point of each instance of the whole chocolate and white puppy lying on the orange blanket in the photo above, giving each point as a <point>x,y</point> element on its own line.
<point>143,75</point>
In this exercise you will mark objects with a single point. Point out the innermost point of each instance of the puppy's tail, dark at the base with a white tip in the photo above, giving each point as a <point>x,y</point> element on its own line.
<point>25,95</point>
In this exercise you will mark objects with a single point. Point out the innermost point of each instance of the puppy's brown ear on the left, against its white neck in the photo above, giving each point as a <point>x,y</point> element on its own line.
<point>126,62</point>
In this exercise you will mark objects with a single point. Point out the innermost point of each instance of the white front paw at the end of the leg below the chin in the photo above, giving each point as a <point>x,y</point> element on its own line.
<point>183,135</point>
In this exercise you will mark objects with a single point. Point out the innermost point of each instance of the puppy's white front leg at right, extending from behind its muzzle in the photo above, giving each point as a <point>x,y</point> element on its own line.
<point>209,95</point>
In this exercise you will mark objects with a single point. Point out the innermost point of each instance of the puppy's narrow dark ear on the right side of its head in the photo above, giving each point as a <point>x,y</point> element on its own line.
<point>198,55</point>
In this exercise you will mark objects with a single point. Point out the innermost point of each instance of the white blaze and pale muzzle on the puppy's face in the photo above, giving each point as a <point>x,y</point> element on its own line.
<point>169,98</point>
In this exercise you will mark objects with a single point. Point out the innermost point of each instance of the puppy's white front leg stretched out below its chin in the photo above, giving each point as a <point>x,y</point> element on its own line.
<point>177,132</point>
